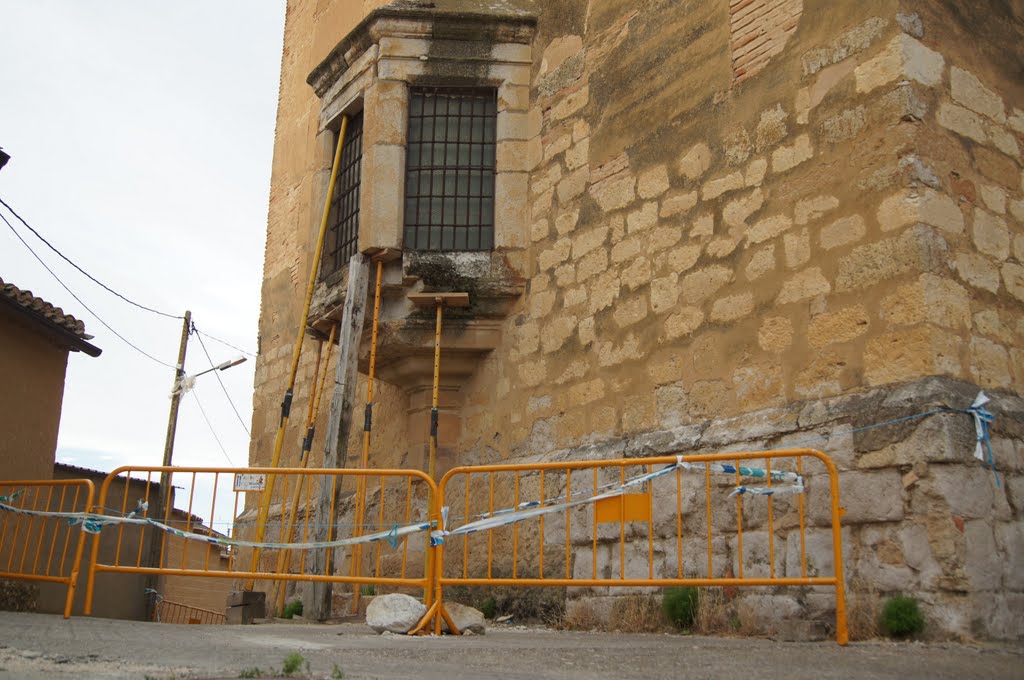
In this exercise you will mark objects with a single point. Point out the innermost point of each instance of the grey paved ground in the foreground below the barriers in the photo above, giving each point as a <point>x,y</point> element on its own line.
<point>37,647</point>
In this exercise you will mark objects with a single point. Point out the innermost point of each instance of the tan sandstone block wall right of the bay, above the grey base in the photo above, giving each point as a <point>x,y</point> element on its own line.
<point>809,247</point>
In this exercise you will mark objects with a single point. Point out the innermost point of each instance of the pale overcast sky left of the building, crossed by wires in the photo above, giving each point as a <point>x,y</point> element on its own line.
<point>141,135</point>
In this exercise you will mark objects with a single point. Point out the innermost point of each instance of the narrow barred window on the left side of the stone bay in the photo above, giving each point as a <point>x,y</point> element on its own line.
<point>343,238</point>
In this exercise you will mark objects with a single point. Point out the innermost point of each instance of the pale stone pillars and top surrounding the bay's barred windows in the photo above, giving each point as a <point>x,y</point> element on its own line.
<point>374,68</point>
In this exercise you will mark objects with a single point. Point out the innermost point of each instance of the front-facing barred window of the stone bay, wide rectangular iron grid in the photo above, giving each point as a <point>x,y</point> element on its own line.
<point>450,169</point>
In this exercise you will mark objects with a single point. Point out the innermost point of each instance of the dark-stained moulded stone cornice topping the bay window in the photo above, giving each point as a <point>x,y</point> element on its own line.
<point>412,21</point>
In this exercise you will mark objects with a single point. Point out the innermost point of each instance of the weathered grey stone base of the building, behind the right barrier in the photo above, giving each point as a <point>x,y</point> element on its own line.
<point>921,515</point>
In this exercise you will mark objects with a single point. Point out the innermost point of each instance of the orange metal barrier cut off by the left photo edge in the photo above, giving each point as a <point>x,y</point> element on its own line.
<point>37,539</point>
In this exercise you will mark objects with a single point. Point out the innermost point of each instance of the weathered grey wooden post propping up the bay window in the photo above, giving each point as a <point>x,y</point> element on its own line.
<point>339,424</point>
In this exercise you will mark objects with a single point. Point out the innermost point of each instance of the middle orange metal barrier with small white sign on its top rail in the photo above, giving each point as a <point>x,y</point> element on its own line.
<point>209,529</point>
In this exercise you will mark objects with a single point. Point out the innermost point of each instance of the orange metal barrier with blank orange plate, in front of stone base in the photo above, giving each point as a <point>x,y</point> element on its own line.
<point>718,520</point>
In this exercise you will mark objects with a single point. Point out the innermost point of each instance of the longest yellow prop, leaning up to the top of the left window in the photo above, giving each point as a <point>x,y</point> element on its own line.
<point>268,495</point>
